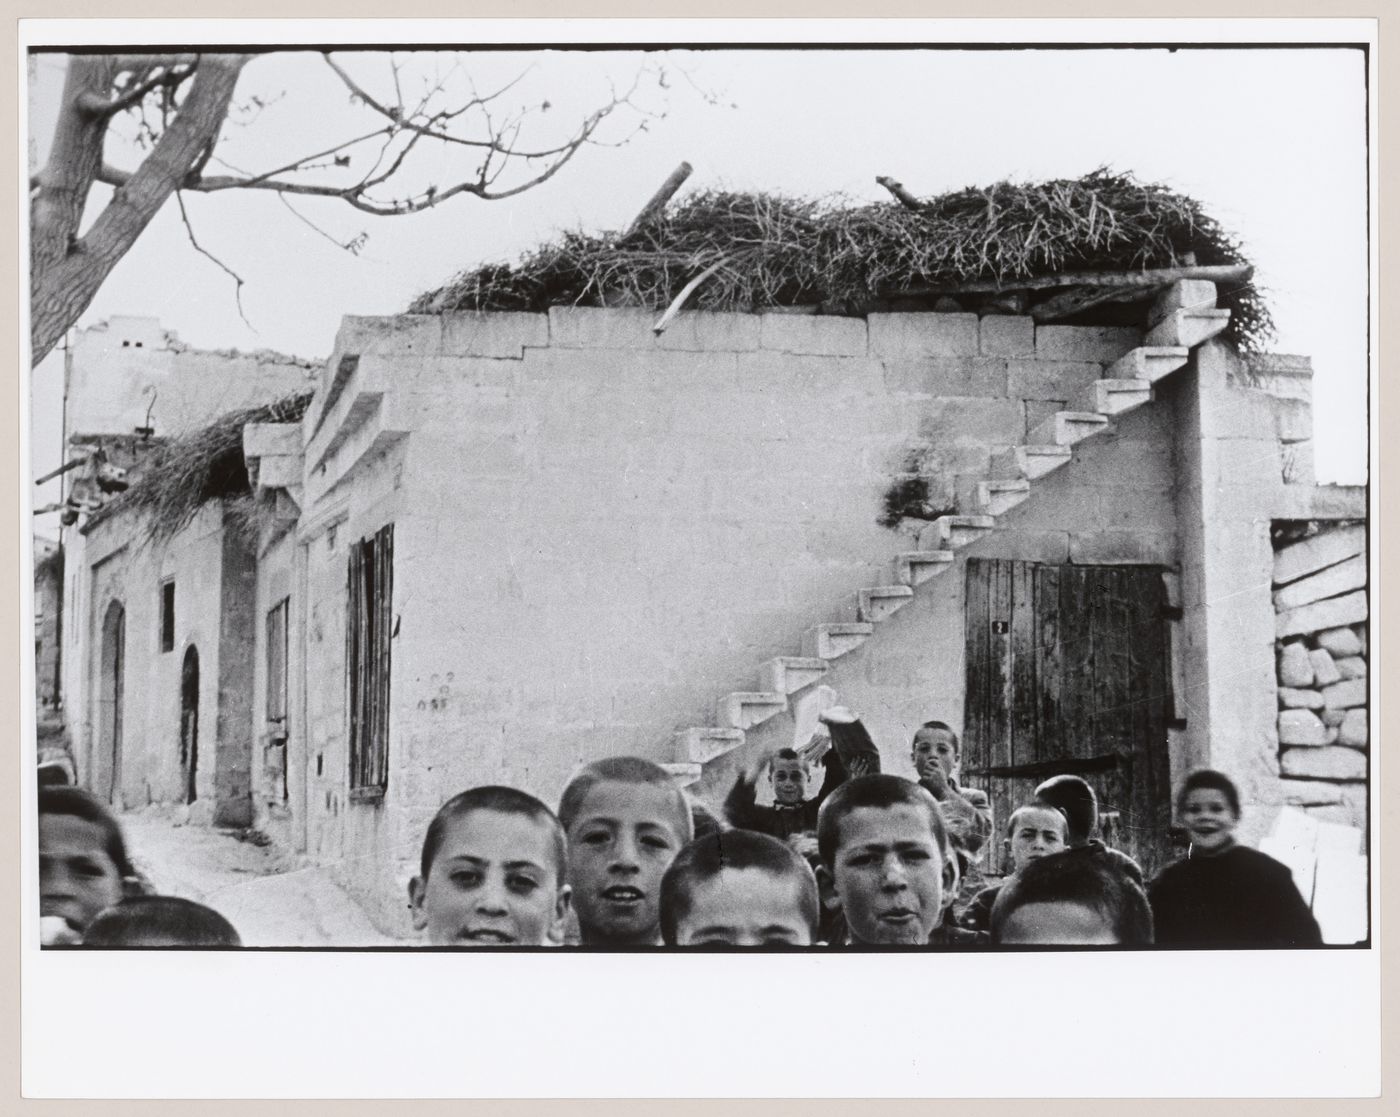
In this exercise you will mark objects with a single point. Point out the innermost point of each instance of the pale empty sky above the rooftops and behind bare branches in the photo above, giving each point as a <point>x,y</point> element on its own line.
<point>1272,142</point>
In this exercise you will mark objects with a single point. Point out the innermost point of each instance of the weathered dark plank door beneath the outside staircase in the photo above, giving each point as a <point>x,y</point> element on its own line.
<point>1069,673</point>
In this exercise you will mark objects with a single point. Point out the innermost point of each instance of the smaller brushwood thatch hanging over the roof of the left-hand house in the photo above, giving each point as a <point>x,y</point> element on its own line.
<point>185,474</point>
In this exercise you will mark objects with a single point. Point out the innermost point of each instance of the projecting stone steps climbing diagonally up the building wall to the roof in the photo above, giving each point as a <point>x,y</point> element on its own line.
<point>1182,318</point>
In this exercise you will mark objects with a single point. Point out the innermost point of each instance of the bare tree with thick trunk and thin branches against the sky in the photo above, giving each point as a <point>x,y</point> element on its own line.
<point>180,103</point>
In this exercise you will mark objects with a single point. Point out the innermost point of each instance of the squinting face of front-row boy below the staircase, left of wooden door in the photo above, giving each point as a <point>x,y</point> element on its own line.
<point>891,874</point>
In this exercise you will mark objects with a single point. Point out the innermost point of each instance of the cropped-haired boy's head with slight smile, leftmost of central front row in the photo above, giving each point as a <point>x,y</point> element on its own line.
<point>493,871</point>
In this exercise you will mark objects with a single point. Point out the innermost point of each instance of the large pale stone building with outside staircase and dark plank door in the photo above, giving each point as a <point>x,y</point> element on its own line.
<point>502,545</point>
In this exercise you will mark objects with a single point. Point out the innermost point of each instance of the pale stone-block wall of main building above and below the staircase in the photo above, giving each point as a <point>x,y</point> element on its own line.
<point>600,531</point>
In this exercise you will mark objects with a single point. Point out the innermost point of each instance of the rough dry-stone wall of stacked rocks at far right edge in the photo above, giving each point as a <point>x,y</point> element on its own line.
<point>1321,576</point>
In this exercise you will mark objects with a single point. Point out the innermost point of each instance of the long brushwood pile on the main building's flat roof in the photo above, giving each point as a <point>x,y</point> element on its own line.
<point>1088,251</point>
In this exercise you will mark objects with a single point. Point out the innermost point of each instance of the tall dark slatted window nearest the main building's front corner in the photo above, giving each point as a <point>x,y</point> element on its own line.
<point>369,631</point>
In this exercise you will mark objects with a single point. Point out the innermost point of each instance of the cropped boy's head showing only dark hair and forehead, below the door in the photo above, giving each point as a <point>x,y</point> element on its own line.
<point>1072,901</point>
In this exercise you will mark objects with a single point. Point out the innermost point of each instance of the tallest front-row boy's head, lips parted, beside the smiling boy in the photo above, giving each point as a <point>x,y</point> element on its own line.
<point>626,821</point>
